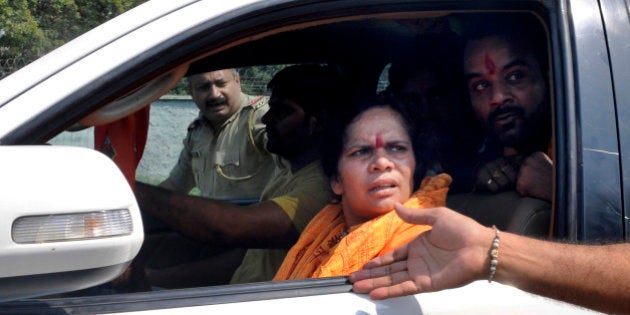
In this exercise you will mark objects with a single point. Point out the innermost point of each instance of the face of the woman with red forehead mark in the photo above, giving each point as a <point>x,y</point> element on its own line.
<point>376,165</point>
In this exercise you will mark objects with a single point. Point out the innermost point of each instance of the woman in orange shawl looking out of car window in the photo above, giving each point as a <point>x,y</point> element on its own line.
<point>372,166</point>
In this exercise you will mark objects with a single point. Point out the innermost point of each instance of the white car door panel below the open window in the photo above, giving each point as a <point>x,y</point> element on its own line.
<point>320,296</point>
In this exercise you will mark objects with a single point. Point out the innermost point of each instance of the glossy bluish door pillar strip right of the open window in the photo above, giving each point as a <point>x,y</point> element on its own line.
<point>599,153</point>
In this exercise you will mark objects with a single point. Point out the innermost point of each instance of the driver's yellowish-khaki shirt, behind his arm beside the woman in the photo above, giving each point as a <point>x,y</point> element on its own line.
<point>301,195</point>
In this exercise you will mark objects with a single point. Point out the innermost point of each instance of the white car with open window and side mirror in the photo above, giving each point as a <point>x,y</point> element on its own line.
<point>71,222</point>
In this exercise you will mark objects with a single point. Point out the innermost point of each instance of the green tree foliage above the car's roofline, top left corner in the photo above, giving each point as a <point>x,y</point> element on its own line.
<point>31,28</point>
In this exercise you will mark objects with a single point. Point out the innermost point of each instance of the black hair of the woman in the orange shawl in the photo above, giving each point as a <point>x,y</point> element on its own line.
<point>423,140</point>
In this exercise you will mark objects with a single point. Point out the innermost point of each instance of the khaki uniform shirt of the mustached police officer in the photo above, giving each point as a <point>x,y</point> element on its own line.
<point>230,163</point>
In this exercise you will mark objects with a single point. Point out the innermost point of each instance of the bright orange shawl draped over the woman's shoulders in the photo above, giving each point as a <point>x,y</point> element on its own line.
<point>324,249</point>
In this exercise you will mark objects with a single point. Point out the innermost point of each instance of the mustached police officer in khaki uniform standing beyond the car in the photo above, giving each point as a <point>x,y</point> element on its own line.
<point>224,152</point>
